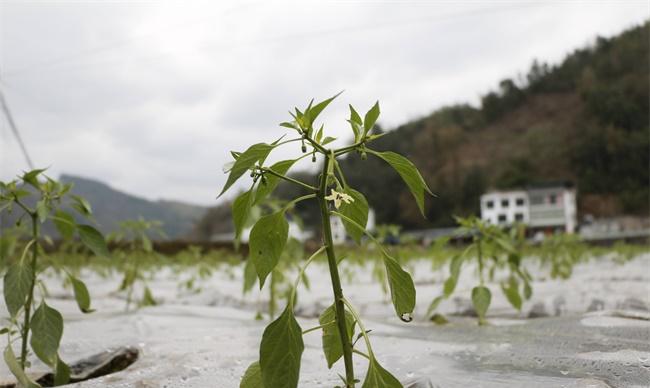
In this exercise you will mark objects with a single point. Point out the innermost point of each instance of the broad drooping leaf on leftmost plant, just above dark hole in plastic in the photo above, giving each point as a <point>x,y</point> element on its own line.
<point>47,328</point>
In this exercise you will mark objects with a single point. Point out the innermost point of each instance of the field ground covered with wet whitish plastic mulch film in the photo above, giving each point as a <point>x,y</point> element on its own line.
<point>590,330</point>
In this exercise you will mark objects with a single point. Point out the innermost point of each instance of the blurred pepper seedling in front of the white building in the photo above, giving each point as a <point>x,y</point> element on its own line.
<point>493,248</point>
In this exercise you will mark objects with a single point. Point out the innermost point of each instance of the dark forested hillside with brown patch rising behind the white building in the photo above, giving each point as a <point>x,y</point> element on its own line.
<point>584,120</point>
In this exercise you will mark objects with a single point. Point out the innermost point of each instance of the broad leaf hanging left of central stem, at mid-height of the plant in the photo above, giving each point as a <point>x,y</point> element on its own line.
<point>267,241</point>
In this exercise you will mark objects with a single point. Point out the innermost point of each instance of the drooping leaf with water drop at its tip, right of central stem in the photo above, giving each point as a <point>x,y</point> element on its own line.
<point>402,289</point>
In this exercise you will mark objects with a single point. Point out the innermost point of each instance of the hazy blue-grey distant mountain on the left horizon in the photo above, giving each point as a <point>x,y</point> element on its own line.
<point>111,206</point>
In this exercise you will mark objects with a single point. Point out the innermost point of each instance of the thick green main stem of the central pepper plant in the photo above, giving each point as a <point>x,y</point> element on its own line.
<point>334,274</point>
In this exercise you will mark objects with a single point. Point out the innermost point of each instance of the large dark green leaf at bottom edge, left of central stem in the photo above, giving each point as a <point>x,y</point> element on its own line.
<point>280,351</point>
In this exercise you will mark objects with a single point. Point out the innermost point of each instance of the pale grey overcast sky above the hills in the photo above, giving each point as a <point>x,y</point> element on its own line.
<point>150,96</point>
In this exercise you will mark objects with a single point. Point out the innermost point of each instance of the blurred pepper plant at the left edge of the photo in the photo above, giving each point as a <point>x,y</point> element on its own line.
<point>38,199</point>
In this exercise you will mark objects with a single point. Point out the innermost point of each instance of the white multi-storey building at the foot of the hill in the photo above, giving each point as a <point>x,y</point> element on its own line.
<point>543,207</point>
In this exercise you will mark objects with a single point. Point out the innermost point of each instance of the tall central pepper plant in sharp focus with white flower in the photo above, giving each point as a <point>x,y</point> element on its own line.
<point>282,344</point>
